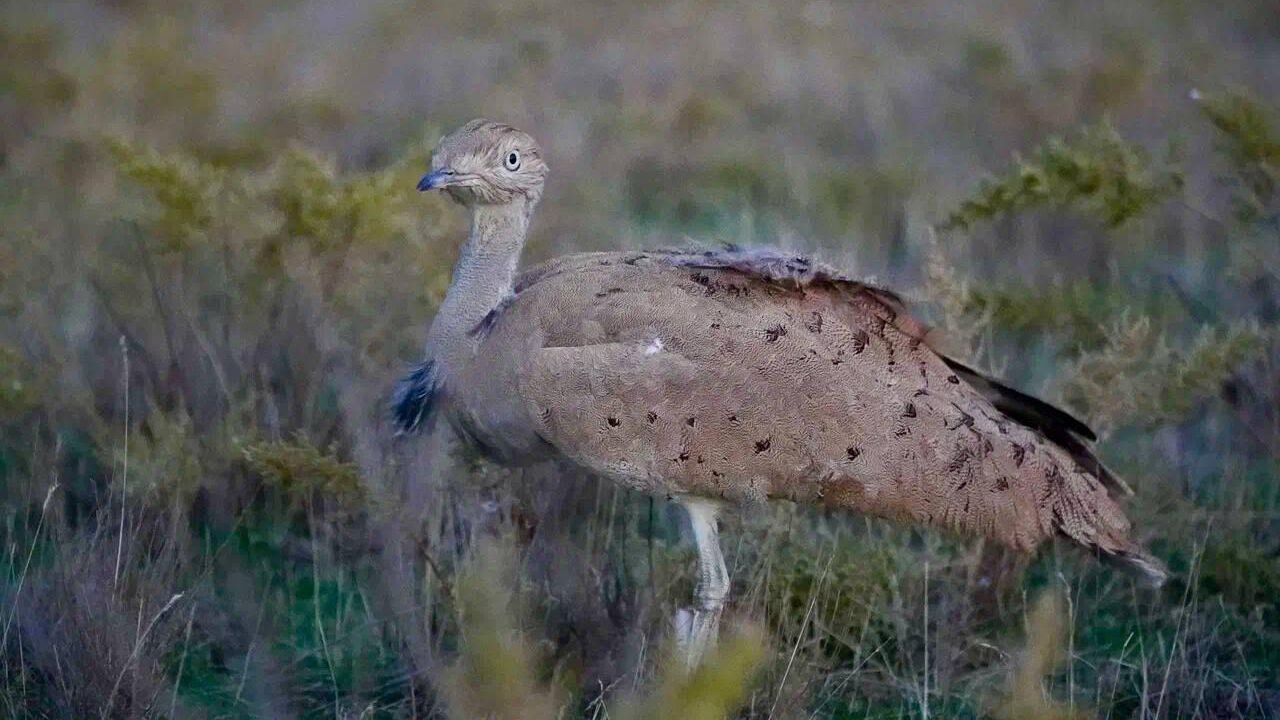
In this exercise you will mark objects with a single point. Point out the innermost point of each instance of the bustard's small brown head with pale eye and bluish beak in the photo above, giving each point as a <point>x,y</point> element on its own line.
<point>487,163</point>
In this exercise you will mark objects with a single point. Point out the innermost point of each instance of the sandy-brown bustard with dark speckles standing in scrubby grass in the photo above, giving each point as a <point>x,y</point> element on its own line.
<point>733,379</point>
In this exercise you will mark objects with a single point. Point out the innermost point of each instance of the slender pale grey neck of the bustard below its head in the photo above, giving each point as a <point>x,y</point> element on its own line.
<point>483,279</point>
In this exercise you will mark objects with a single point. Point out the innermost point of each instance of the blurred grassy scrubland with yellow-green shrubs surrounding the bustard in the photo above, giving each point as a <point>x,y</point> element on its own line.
<point>213,266</point>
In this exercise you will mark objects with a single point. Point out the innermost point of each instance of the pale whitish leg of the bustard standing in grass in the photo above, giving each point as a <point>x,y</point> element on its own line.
<point>697,628</point>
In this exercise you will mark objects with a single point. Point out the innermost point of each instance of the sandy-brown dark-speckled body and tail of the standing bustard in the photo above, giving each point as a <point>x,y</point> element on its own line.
<point>758,376</point>
